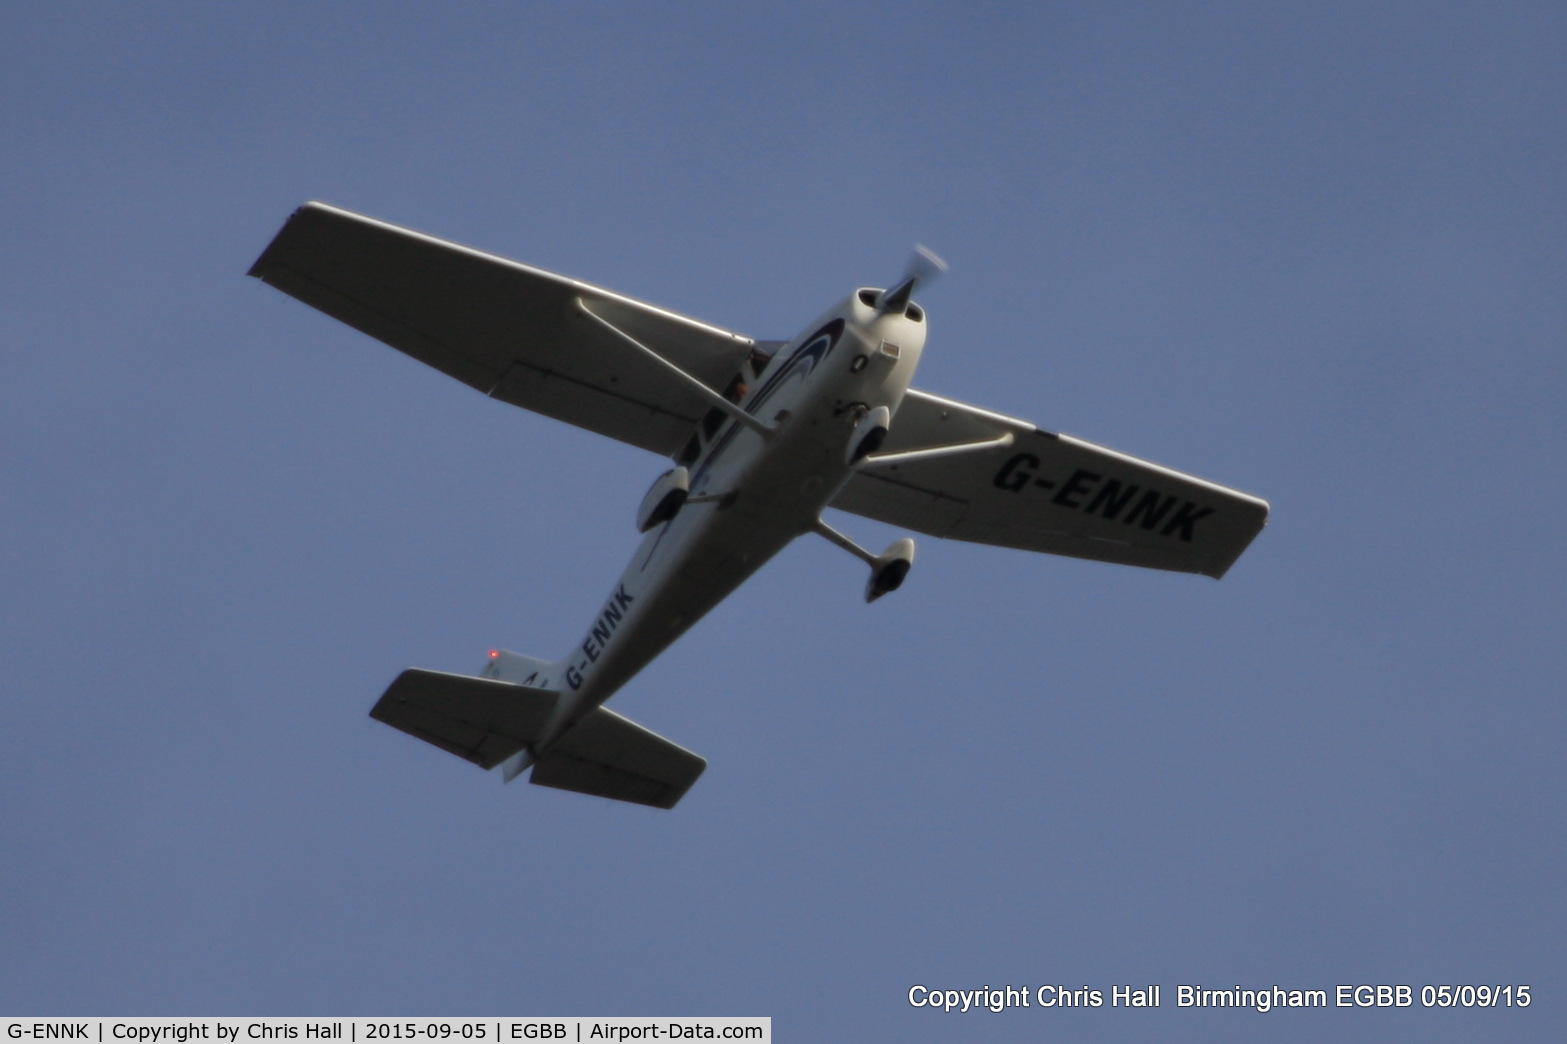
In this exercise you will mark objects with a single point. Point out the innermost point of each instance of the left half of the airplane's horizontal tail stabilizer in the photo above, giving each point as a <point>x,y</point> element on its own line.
<point>476,719</point>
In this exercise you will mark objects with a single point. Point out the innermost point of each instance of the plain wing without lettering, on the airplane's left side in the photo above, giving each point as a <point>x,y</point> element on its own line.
<point>512,332</point>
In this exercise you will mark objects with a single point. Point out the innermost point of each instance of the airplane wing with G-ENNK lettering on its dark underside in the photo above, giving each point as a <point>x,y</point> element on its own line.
<point>1019,487</point>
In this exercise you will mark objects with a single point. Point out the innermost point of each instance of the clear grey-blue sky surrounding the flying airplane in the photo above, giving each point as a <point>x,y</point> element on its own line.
<point>1314,252</point>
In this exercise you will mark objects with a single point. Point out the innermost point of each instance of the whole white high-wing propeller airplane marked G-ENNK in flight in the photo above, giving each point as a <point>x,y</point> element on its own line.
<point>764,437</point>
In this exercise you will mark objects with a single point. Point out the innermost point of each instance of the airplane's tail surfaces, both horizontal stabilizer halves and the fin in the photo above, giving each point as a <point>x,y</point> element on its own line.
<point>488,722</point>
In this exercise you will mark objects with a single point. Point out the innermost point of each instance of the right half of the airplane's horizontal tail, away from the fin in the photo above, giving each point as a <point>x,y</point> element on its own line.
<point>615,758</point>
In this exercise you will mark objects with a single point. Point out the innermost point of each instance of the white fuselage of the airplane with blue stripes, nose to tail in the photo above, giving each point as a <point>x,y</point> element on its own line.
<point>751,495</point>
